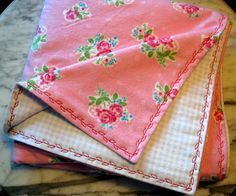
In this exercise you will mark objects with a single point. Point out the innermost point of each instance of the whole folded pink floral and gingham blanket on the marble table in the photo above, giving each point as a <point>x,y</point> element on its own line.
<point>128,87</point>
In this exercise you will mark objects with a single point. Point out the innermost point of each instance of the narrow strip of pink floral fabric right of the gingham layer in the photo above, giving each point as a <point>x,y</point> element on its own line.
<point>215,157</point>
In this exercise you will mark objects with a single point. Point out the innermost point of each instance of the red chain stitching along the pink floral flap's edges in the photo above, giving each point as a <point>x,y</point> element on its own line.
<point>130,156</point>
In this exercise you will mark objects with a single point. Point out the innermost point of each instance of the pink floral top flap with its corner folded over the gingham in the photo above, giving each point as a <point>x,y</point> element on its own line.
<point>138,86</point>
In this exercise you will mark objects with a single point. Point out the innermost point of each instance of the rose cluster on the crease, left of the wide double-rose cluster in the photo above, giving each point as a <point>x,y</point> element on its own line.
<point>101,47</point>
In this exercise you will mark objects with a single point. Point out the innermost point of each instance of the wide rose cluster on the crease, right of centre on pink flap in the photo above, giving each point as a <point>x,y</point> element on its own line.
<point>163,49</point>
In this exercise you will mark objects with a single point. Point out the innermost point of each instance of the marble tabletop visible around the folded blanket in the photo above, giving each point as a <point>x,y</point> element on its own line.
<point>17,25</point>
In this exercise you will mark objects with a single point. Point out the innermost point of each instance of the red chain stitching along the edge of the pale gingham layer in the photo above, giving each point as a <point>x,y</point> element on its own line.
<point>187,187</point>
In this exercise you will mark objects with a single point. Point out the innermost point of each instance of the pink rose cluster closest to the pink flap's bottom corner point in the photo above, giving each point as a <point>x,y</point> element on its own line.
<point>108,110</point>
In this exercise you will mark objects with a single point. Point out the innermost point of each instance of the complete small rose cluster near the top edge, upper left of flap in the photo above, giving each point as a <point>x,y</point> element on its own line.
<point>79,11</point>
